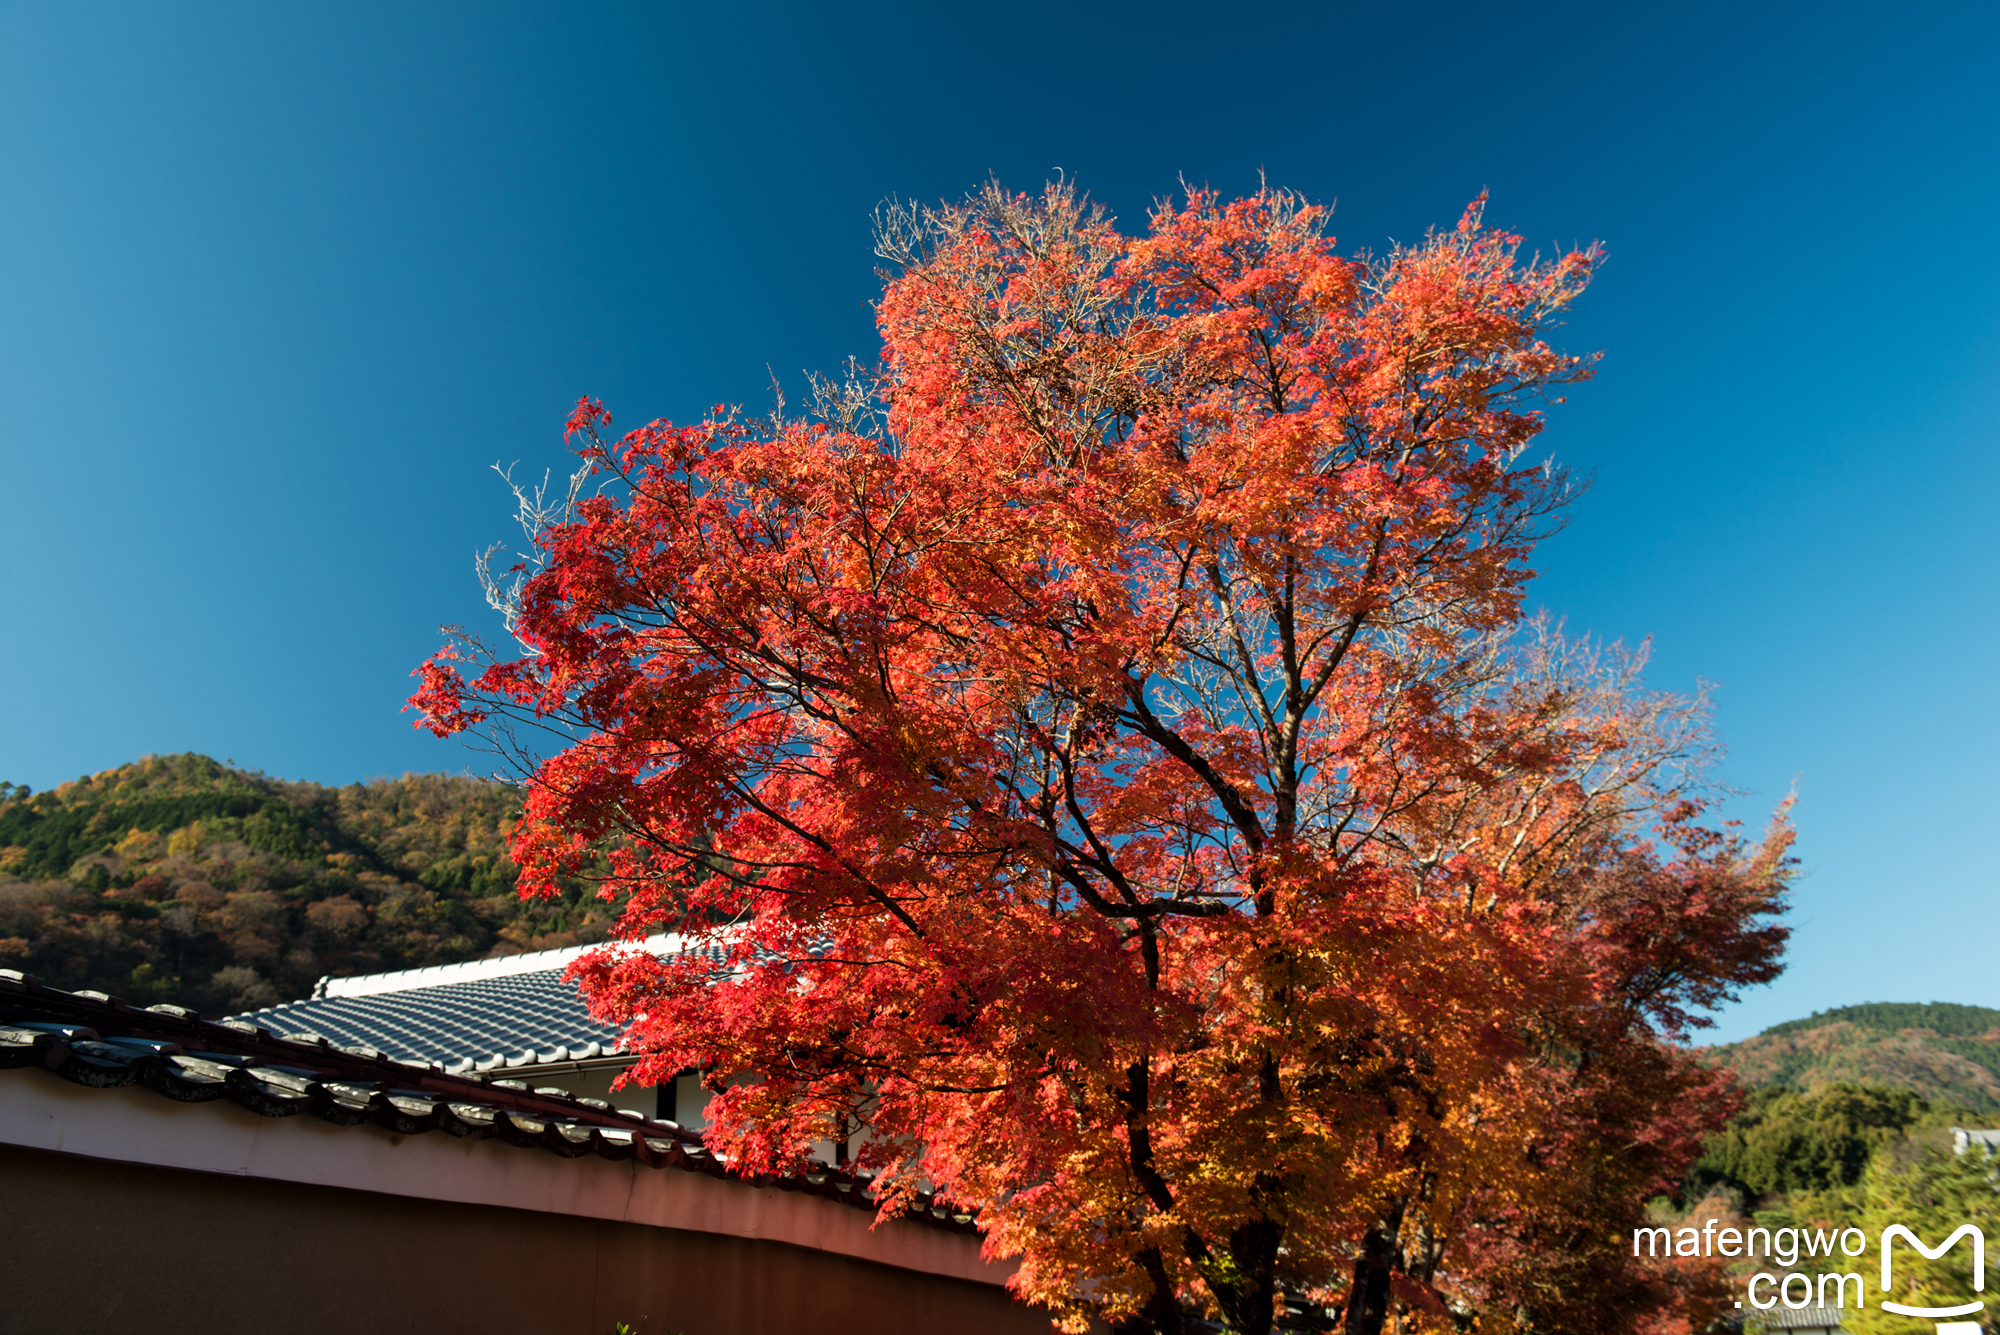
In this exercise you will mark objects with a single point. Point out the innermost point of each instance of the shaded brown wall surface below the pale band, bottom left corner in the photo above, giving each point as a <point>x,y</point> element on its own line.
<point>99,1248</point>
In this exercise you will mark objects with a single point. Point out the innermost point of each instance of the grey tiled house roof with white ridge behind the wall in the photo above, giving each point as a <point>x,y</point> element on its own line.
<point>477,1016</point>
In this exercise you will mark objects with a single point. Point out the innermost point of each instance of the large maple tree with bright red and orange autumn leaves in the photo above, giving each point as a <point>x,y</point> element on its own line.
<point>1109,746</point>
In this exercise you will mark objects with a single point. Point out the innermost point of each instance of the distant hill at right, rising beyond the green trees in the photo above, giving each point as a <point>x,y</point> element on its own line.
<point>1947,1054</point>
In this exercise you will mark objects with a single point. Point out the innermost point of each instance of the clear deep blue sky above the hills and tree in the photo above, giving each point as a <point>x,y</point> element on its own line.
<point>279,285</point>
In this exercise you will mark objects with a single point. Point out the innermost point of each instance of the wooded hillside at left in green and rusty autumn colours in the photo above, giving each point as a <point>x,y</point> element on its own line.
<point>183,880</point>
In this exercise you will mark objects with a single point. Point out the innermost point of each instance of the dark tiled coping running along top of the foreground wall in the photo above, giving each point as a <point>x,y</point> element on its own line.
<point>99,1042</point>
